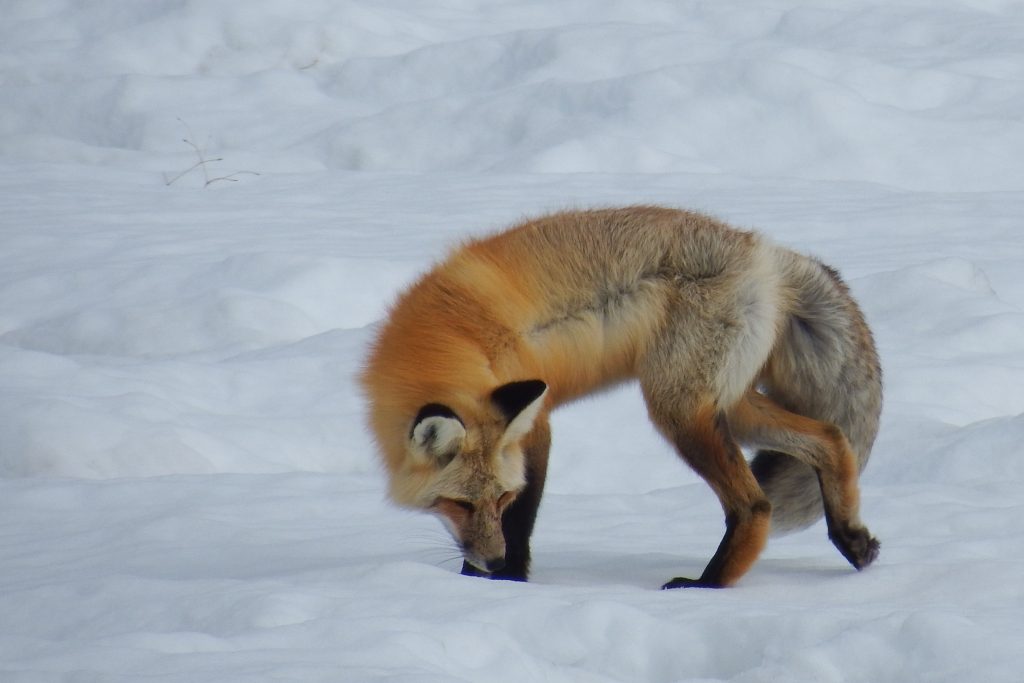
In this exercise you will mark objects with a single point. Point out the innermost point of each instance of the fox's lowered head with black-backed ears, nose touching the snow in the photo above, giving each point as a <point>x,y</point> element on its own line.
<point>471,466</point>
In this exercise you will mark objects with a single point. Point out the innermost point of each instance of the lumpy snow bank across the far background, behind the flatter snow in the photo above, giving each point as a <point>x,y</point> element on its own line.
<point>909,96</point>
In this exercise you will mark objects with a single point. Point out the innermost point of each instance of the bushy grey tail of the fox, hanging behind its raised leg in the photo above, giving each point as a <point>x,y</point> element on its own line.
<point>825,367</point>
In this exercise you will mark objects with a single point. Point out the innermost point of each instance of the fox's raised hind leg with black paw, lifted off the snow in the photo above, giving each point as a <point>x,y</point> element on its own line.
<point>758,421</point>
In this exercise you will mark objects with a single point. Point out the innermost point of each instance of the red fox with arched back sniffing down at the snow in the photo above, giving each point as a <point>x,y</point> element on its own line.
<point>735,341</point>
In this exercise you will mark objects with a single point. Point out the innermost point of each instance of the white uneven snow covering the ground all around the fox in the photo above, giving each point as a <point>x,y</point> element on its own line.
<point>188,492</point>
